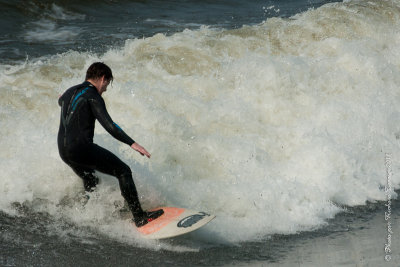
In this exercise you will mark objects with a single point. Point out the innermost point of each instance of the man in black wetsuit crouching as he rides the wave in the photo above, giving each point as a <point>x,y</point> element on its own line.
<point>81,105</point>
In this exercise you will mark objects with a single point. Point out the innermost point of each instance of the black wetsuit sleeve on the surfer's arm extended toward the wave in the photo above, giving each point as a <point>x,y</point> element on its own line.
<point>100,112</point>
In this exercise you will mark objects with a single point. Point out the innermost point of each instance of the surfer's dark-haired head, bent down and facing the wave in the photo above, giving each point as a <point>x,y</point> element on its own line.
<point>100,75</point>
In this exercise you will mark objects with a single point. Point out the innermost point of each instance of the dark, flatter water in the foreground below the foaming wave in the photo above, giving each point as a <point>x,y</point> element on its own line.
<point>353,238</point>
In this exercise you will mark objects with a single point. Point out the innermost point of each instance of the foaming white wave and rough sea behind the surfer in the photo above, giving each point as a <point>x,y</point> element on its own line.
<point>273,116</point>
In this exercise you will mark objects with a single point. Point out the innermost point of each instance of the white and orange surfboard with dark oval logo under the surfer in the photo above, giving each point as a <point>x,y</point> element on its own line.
<point>175,222</point>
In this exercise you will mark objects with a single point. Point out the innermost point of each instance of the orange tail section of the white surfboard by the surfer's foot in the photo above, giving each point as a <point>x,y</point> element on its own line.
<point>170,213</point>
